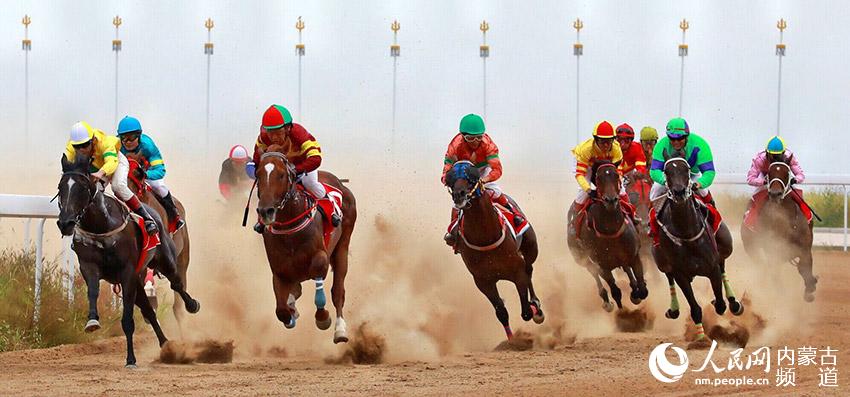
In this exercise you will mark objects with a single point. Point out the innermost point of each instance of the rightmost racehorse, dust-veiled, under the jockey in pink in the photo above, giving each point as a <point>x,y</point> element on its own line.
<point>783,232</point>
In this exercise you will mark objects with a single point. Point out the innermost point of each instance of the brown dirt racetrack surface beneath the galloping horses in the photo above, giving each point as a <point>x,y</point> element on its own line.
<point>614,364</point>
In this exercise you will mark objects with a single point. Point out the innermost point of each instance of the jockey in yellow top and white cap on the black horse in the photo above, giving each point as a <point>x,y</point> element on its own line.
<point>112,167</point>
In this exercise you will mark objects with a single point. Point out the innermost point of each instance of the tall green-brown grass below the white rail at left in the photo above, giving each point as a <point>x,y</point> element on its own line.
<point>60,322</point>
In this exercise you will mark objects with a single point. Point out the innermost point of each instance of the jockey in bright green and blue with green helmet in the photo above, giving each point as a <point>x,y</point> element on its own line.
<point>697,153</point>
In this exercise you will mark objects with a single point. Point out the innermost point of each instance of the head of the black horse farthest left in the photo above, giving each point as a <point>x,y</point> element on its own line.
<point>76,192</point>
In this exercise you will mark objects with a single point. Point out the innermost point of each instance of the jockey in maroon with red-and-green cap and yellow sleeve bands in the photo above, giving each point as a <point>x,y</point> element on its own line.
<point>300,147</point>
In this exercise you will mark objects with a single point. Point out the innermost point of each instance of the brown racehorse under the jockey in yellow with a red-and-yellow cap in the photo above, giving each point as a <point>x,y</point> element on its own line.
<point>608,240</point>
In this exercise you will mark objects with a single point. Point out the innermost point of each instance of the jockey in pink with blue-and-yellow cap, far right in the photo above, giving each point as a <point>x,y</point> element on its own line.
<point>776,151</point>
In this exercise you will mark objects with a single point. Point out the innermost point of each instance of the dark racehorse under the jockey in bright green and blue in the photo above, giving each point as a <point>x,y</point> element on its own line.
<point>688,247</point>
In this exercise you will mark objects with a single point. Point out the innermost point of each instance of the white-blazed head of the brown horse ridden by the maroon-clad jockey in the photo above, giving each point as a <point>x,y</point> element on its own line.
<point>275,183</point>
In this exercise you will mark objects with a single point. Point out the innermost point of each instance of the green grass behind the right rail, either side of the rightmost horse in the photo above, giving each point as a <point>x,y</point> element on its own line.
<point>828,203</point>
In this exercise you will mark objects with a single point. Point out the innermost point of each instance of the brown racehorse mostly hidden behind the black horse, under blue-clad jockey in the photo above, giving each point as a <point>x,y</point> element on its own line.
<point>136,183</point>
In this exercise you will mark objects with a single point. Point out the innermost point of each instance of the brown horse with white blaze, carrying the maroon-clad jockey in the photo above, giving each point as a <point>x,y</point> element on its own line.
<point>293,237</point>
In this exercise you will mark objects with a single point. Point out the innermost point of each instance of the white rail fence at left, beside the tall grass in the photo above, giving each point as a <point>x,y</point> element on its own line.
<point>39,208</point>
